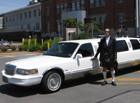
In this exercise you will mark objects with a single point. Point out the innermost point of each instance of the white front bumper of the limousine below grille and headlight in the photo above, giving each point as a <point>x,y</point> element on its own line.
<point>27,80</point>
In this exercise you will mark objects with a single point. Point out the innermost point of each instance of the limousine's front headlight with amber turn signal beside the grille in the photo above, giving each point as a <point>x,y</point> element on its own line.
<point>26,72</point>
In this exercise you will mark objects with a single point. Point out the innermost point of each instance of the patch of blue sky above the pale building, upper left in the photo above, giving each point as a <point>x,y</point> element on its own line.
<point>8,5</point>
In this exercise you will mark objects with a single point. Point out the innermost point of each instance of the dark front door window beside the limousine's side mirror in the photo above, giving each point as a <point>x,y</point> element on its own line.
<point>86,50</point>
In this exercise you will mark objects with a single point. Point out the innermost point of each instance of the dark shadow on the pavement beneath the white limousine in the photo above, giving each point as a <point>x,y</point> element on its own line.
<point>17,91</point>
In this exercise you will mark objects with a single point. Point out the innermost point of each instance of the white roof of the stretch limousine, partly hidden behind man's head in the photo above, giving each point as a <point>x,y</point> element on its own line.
<point>97,40</point>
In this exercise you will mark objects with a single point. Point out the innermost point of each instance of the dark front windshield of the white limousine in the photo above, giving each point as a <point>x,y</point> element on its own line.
<point>62,49</point>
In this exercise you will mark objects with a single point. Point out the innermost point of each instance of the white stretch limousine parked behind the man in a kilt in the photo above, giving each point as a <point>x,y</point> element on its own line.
<point>67,60</point>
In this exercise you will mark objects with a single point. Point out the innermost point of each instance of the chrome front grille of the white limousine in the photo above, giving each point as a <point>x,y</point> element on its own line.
<point>10,70</point>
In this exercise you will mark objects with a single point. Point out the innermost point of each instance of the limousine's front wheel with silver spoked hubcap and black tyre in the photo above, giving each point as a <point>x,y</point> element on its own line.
<point>52,81</point>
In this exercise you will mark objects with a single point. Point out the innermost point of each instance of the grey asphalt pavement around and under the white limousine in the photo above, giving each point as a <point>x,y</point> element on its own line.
<point>83,90</point>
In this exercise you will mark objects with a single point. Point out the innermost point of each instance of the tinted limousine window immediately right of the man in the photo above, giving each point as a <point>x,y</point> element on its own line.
<point>121,46</point>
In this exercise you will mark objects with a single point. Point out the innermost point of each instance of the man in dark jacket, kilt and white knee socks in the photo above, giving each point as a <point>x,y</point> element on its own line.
<point>108,56</point>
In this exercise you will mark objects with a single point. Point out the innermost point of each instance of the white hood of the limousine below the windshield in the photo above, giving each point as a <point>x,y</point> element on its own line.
<point>38,61</point>
